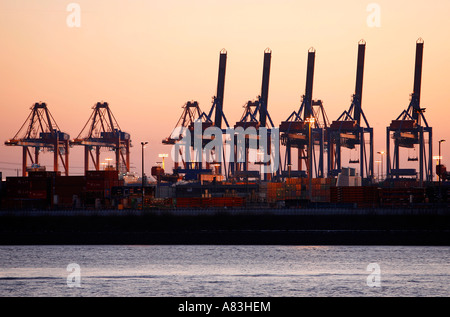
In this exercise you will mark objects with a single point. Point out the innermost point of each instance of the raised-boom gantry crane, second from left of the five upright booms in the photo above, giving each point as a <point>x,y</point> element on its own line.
<point>255,115</point>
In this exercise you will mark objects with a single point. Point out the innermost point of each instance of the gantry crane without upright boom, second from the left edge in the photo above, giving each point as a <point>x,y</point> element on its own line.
<point>102,130</point>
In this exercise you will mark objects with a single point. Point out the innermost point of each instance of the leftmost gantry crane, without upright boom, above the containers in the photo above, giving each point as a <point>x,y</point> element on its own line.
<point>41,132</point>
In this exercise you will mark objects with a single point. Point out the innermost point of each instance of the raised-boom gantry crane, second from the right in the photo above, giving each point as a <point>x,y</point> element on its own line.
<point>350,130</point>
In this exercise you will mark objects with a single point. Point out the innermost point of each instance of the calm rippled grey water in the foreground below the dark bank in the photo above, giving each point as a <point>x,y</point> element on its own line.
<point>274,271</point>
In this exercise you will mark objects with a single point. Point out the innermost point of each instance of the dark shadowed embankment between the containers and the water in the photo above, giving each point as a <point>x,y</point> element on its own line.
<point>224,228</point>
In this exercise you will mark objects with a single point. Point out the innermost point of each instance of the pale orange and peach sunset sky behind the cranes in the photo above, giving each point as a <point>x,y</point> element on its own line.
<point>148,58</point>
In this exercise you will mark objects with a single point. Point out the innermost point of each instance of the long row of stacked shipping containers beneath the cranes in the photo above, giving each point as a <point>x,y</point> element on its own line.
<point>104,189</point>
